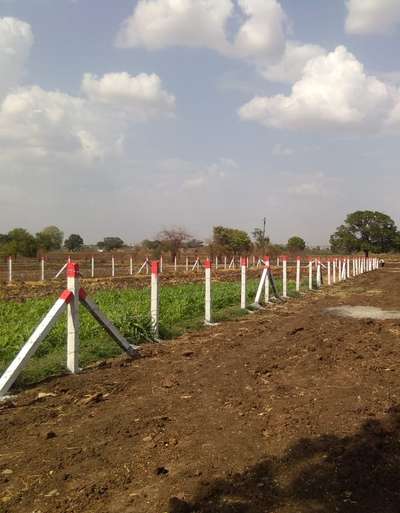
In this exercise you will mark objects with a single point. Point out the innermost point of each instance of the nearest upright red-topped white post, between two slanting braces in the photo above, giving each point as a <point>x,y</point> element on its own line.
<point>73,318</point>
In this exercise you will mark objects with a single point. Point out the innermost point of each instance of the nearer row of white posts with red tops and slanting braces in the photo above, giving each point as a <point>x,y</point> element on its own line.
<point>74,295</point>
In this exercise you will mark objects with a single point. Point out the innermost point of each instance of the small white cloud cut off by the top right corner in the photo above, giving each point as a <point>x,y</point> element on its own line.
<point>372,16</point>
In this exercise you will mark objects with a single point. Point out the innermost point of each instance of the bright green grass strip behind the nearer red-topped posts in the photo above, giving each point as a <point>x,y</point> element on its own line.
<point>182,309</point>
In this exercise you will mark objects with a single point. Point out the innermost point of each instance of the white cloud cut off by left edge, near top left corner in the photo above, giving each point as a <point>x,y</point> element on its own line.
<point>16,40</point>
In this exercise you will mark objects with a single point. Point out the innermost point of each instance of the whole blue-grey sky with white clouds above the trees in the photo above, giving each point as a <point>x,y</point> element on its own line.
<point>122,118</point>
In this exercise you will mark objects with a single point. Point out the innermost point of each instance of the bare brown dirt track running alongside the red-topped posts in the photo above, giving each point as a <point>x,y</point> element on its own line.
<point>289,410</point>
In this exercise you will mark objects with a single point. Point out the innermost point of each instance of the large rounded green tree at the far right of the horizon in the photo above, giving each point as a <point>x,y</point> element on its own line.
<point>365,230</point>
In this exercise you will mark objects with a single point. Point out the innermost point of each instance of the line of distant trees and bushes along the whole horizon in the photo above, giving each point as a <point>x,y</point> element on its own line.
<point>367,231</point>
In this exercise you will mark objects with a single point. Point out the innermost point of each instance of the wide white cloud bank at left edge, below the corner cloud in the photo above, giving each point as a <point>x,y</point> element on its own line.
<point>41,122</point>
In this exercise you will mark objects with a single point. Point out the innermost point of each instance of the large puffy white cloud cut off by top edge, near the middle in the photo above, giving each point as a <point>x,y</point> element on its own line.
<point>261,37</point>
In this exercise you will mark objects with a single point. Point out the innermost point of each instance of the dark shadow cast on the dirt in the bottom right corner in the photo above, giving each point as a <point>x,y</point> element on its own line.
<point>354,474</point>
